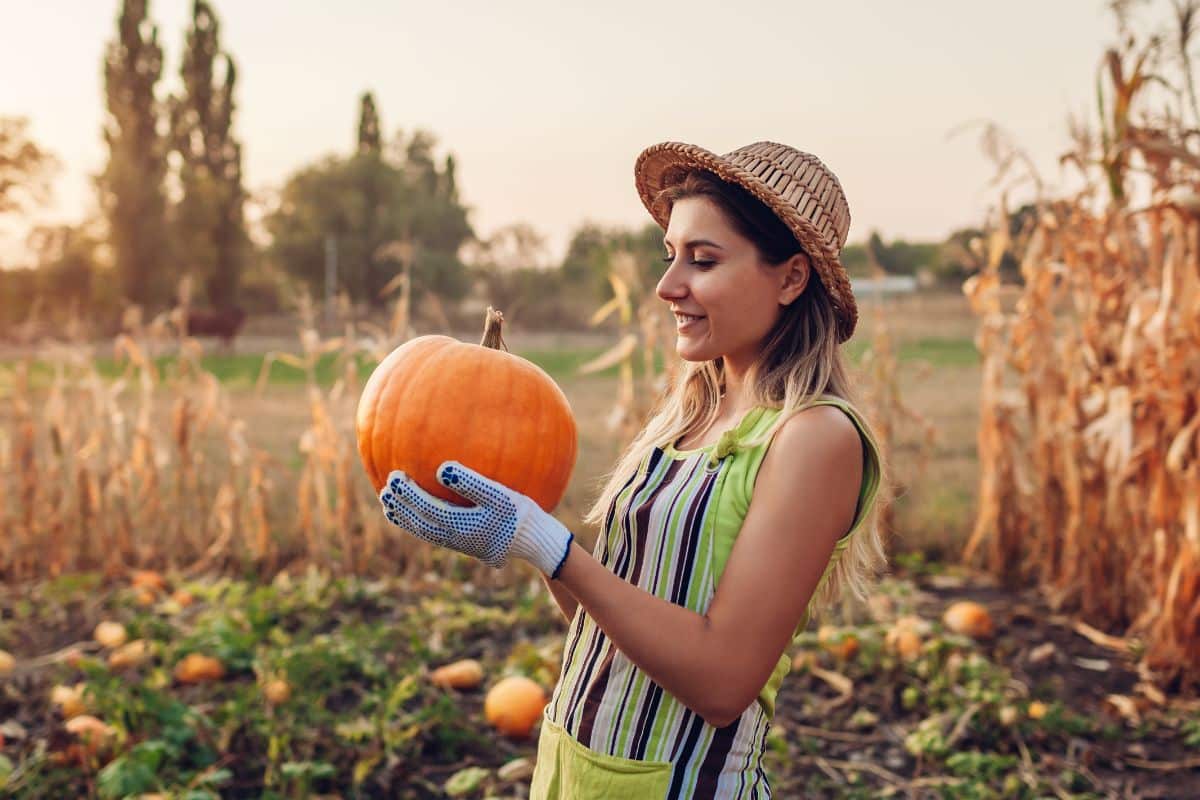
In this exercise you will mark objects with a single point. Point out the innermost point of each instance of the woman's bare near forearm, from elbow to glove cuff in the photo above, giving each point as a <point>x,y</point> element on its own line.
<point>670,643</point>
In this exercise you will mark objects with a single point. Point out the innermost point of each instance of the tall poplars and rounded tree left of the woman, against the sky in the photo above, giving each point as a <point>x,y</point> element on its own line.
<point>172,197</point>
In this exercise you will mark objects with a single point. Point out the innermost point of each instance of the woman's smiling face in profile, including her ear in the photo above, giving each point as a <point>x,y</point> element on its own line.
<point>724,297</point>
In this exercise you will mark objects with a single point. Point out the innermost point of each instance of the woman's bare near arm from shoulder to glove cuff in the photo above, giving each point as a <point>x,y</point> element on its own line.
<point>805,501</point>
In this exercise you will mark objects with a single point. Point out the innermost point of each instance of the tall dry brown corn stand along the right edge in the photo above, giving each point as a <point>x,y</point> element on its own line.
<point>1089,448</point>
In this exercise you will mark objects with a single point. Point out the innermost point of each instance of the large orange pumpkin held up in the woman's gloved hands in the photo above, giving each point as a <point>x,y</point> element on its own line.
<point>436,399</point>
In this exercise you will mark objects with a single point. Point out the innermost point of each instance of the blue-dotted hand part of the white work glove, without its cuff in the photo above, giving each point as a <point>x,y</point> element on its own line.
<point>484,531</point>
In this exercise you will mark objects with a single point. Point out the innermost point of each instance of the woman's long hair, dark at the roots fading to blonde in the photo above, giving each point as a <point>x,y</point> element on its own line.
<point>800,362</point>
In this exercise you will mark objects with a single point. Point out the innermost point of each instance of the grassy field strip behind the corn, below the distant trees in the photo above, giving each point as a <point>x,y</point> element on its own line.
<point>939,378</point>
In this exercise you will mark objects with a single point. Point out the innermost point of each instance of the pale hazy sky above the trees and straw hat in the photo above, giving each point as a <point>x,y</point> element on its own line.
<point>547,105</point>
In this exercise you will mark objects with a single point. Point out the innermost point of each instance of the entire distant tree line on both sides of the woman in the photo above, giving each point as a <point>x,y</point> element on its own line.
<point>173,203</point>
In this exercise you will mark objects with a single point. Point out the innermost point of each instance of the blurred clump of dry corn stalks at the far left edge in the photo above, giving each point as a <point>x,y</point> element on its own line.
<point>109,474</point>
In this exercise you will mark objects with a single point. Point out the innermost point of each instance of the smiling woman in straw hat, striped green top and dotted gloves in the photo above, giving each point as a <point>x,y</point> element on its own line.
<point>745,506</point>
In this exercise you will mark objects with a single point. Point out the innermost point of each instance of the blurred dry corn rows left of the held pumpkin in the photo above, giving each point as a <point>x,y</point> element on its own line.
<point>154,471</point>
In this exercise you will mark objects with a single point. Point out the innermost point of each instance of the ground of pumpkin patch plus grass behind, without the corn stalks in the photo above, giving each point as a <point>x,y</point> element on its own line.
<point>1045,708</point>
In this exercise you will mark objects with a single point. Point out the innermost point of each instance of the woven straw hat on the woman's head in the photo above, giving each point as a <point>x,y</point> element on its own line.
<point>795,185</point>
